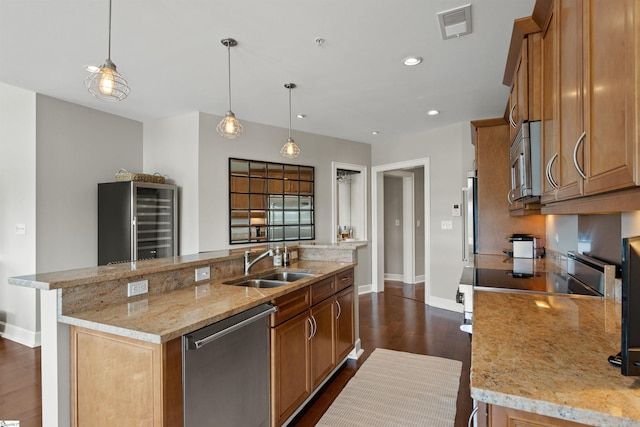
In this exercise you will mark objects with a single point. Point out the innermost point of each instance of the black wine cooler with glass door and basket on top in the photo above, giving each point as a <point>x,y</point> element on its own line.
<point>136,221</point>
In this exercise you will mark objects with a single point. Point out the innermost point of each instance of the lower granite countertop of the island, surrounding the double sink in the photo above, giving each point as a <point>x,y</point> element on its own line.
<point>159,318</point>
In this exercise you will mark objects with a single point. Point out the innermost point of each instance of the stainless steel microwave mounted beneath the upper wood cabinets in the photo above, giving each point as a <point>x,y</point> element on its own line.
<point>525,164</point>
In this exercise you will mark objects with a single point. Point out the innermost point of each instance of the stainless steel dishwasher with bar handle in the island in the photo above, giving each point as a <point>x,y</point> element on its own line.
<point>225,369</point>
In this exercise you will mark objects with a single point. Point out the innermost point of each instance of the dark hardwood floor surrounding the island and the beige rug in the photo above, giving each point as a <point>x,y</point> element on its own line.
<point>396,319</point>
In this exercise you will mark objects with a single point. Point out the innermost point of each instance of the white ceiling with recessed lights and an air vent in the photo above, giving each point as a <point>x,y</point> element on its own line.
<point>171,55</point>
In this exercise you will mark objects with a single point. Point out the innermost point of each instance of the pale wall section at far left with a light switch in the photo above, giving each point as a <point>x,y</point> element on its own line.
<point>18,306</point>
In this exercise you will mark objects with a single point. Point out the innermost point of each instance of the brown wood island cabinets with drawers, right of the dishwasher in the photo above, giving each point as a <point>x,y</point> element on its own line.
<point>311,333</point>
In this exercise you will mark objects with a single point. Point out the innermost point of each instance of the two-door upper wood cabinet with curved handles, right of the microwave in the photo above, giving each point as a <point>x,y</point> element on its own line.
<point>594,113</point>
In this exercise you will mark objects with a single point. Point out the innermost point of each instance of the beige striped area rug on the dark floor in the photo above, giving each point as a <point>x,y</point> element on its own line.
<point>394,388</point>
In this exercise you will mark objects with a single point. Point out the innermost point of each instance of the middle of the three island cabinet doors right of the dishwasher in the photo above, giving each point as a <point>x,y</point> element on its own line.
<point>323,341</point>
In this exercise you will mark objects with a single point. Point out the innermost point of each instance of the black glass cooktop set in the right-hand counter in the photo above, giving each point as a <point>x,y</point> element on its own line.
<point>542,282</point>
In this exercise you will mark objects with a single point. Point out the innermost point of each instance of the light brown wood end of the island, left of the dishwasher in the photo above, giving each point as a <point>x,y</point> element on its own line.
<point>115,378</point>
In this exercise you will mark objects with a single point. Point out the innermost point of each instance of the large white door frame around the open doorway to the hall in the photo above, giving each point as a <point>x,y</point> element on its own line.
<point>377,215</point>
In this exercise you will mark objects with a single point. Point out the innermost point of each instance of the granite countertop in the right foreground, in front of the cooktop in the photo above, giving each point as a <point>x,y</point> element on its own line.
<point>547,354</point>
